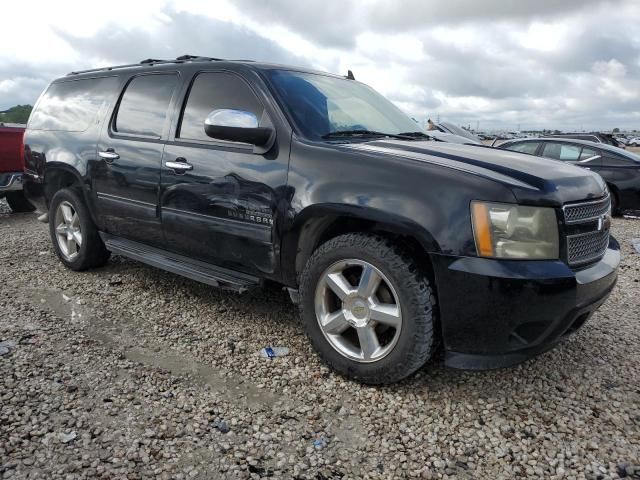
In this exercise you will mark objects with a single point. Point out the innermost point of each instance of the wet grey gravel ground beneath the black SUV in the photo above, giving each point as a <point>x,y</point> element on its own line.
<point>129,372</point>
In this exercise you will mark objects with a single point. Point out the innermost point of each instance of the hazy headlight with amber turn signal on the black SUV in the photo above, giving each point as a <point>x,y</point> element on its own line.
<point>504,230</point>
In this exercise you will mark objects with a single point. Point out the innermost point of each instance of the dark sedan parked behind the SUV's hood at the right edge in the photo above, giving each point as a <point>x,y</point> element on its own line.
<point>618,167</point>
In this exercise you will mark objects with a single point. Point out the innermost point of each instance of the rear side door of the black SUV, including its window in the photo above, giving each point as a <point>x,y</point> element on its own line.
<point>126,176</point>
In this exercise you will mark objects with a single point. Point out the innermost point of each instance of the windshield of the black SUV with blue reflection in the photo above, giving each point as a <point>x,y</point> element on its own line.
<point>321,105</point>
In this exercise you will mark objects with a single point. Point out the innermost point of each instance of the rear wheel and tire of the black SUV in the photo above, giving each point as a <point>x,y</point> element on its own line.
<point>74,235</point>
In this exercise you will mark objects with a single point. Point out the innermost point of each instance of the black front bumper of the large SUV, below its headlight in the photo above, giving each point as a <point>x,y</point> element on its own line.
<point>496,313</point>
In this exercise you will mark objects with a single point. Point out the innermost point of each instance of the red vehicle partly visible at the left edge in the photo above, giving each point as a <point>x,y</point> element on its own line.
<point>11,166</point>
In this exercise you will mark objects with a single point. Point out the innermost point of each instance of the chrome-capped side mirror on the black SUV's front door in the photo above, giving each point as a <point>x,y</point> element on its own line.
<point>237,126</point>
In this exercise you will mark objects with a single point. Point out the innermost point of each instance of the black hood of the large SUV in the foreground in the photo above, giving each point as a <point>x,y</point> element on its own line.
<point>533,180</point>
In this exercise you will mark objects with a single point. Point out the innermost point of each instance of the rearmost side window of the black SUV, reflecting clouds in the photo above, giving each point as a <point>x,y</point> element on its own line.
<point>72,106</point>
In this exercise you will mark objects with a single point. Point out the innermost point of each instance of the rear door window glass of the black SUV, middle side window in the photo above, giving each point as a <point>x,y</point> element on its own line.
<point>144,105</point>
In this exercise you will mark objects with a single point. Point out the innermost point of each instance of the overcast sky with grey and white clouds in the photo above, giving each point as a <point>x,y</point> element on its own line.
<point>570,64</point>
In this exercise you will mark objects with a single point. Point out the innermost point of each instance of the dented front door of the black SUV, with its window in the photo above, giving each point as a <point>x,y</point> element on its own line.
<point>219,199</point>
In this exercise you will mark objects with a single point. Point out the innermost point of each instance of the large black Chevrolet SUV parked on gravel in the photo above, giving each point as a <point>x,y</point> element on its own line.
<point>234,173</point>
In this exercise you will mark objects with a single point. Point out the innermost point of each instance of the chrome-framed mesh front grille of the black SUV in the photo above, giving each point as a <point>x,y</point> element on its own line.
<point>587,230</point>
